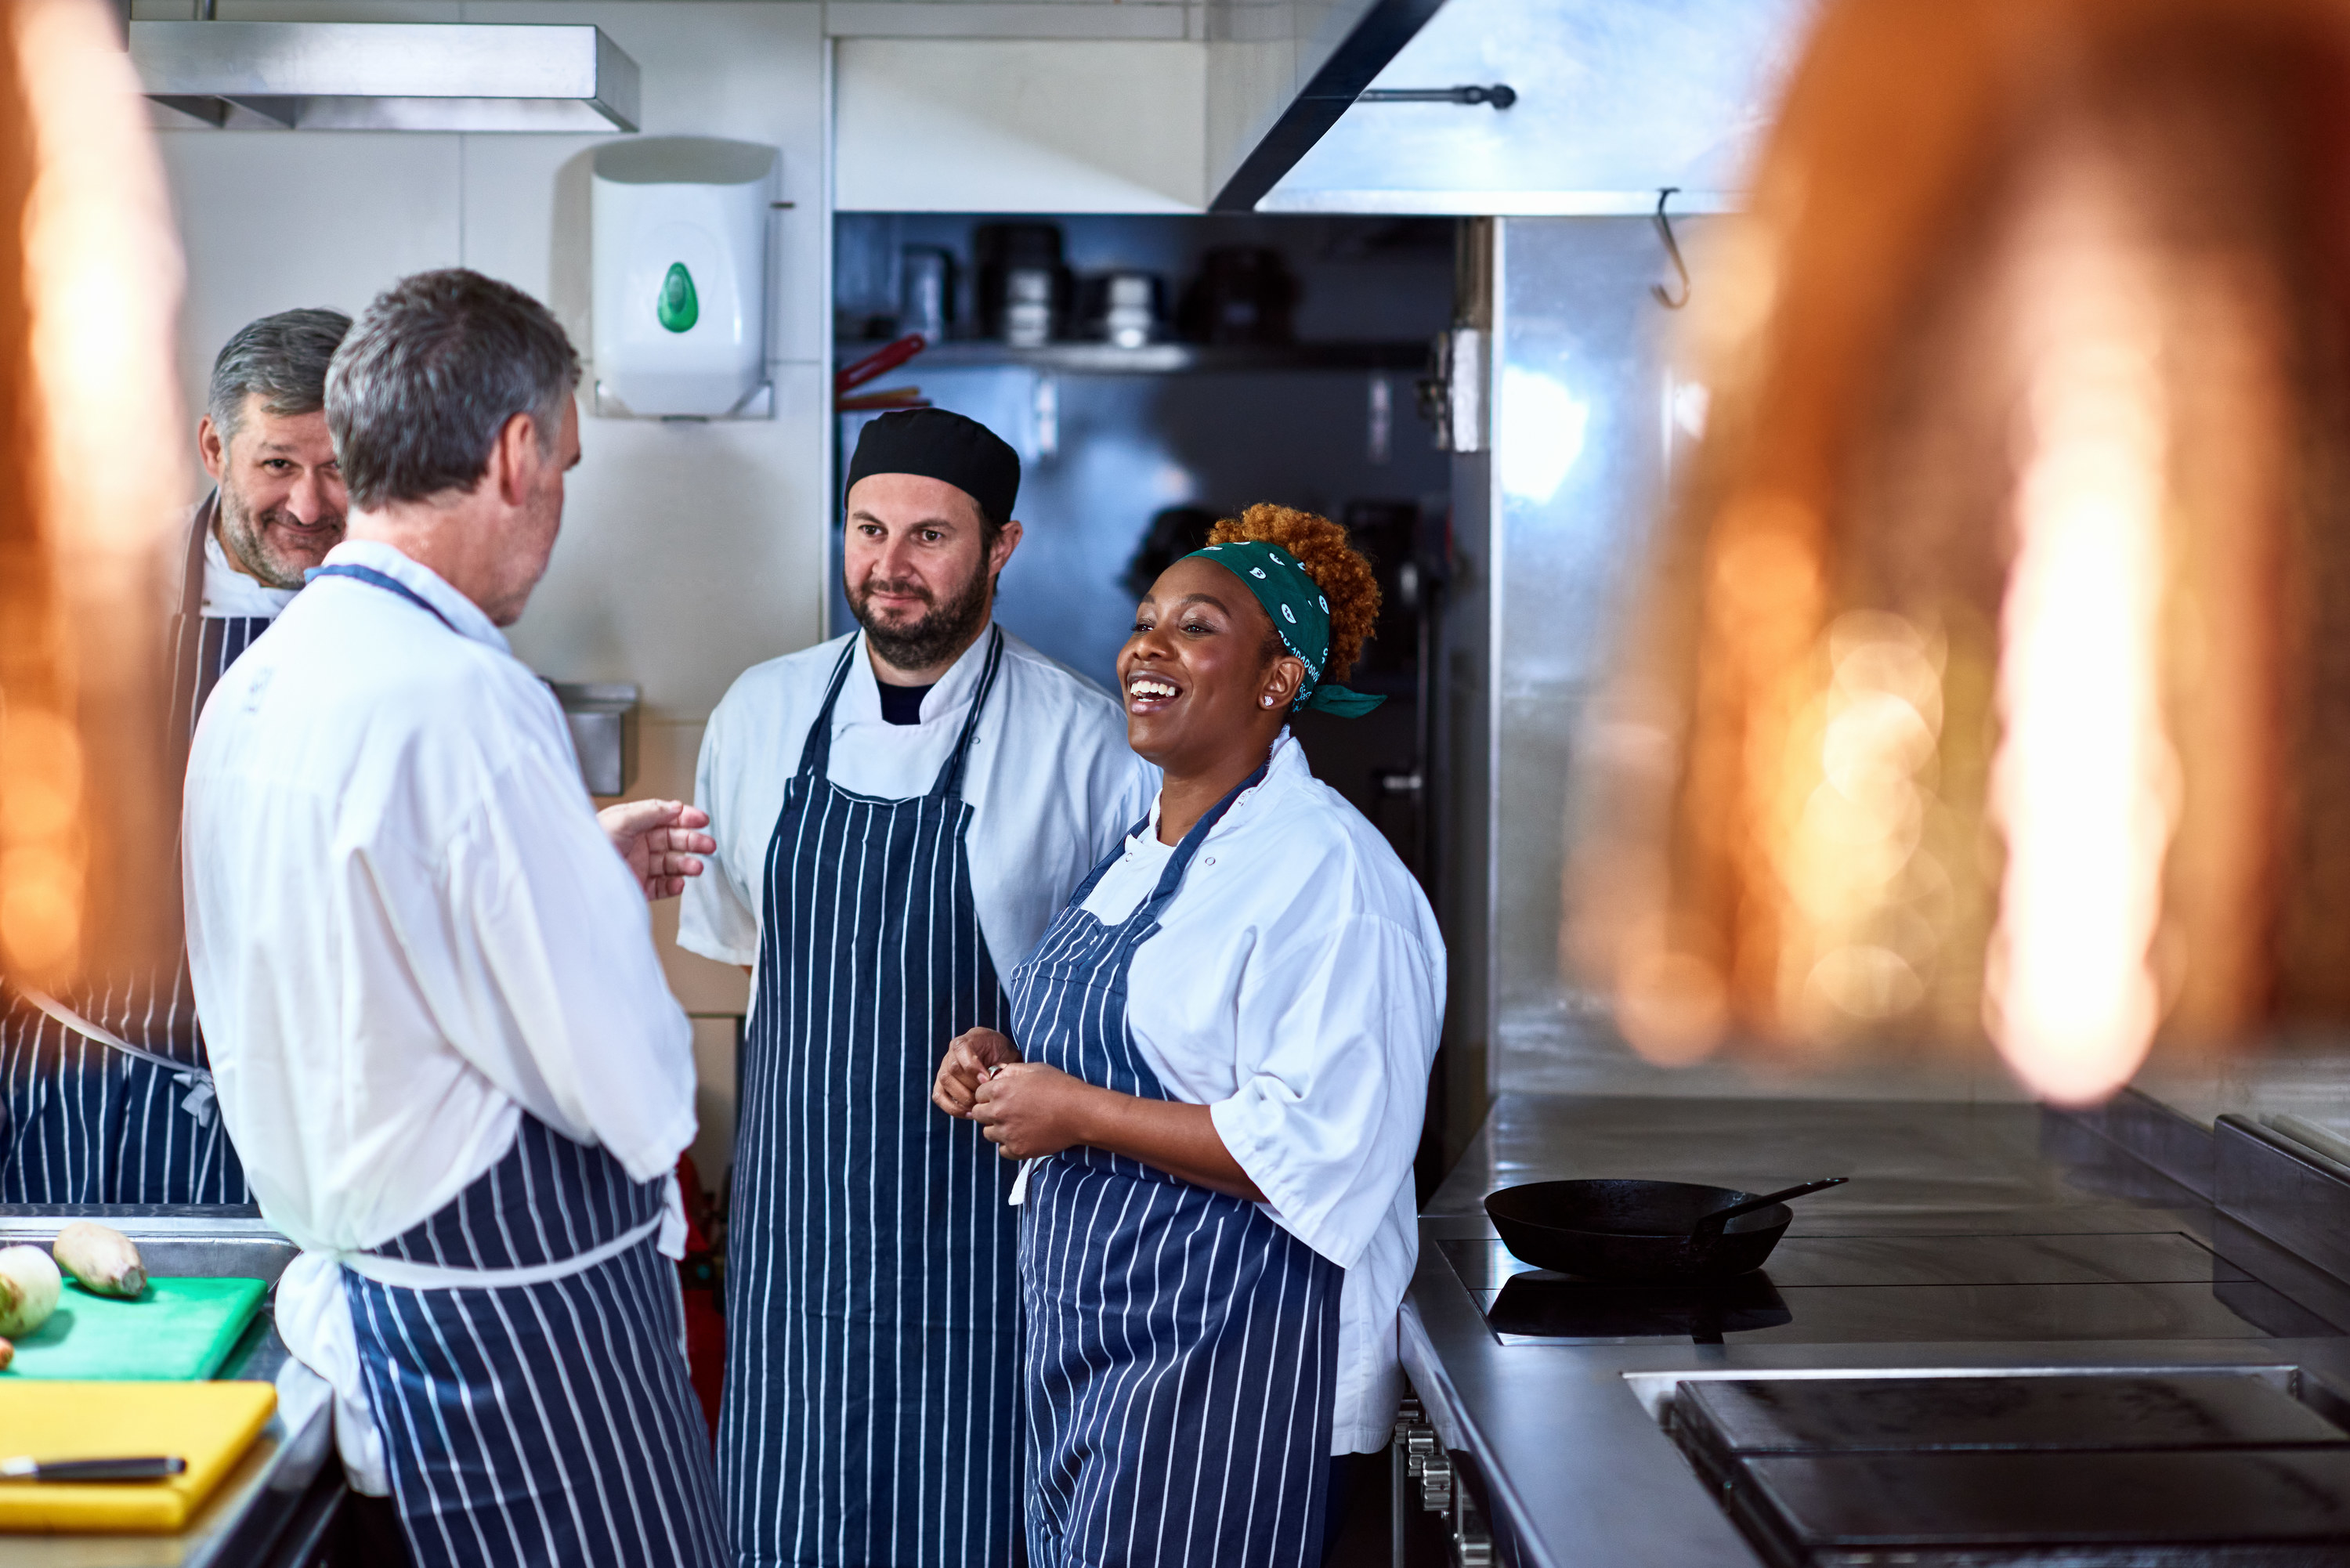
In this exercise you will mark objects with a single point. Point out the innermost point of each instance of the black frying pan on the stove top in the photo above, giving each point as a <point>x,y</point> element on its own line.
<point>1634,1231</point>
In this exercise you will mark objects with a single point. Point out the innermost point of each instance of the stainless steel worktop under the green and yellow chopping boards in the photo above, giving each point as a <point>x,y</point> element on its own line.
<point>269,1487</point>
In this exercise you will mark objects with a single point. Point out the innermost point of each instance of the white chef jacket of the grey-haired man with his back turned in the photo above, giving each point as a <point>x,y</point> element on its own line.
<point>405,925</point>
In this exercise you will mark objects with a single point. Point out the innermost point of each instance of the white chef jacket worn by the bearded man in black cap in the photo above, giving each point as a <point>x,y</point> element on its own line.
<point>1052,784</point>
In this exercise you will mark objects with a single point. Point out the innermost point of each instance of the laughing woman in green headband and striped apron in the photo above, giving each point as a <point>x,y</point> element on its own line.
<point>1226,1040</point>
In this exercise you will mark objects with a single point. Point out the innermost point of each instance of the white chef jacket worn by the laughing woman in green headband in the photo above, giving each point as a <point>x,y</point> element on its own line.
<point>1296,989</point>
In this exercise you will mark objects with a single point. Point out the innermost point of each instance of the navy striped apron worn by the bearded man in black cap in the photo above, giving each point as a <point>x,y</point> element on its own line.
<point>873,1386</point>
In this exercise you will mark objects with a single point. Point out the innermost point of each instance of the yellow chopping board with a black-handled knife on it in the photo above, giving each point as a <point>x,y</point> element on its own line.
<point>206,1423</point>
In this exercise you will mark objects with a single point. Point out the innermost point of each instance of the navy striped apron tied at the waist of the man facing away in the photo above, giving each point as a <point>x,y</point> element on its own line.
<point>553,1421</point>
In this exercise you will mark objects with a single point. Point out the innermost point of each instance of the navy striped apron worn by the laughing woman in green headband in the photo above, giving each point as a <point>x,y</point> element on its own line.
<point>1181,1346</point>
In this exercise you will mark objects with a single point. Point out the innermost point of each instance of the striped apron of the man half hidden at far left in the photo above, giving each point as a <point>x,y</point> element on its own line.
<point>93,1125</point>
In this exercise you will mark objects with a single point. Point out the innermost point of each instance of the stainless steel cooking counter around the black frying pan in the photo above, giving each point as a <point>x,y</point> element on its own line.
<point>1566,1442</point>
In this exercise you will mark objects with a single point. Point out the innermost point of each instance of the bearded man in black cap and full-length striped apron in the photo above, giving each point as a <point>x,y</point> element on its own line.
<point>899,817</point>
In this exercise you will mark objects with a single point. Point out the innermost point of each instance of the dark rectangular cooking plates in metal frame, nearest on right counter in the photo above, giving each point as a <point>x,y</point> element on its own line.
<point>2121,1470</point>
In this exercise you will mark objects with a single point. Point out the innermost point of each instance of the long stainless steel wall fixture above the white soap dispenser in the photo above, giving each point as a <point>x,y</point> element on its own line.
<point>389,76</point>
